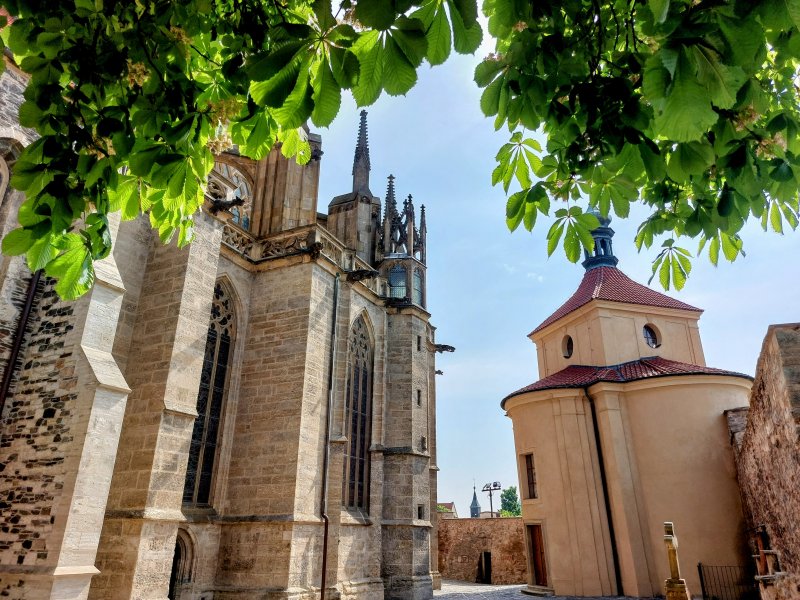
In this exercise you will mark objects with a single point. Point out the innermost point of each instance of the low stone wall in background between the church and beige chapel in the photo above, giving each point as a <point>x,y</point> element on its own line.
<point>462,542</point>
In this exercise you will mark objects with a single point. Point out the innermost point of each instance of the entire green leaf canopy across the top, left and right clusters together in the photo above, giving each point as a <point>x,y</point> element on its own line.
<point>689,106</point>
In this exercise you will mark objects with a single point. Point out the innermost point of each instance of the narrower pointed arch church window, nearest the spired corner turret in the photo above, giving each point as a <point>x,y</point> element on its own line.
<point>358,417</point>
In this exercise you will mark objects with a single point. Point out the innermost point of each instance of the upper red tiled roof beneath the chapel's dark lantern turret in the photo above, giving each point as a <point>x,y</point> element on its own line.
<point>609,283</point>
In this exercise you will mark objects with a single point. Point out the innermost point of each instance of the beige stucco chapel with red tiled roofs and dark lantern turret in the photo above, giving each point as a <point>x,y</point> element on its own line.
<point>625,430</point>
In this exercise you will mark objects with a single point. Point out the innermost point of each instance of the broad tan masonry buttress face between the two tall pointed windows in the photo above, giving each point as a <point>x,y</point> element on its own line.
<point>256,537</point>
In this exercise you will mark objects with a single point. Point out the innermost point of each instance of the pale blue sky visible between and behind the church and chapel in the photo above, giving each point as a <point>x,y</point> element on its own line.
<point>488,288</point>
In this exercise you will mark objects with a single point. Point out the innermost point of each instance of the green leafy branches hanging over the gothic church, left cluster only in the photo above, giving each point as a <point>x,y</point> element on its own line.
<point>133,99</point>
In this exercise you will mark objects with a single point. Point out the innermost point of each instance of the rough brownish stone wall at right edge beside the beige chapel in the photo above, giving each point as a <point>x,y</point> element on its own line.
<point>768,457</point>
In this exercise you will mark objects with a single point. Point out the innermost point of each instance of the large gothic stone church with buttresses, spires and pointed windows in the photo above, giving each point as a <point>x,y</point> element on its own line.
<point>249,417</point>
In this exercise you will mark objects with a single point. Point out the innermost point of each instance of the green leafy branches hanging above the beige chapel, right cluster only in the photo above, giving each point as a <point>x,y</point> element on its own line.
<point>689,106</point>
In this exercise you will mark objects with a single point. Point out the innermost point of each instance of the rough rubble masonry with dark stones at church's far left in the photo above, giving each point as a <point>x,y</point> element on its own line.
<point>37,419</point>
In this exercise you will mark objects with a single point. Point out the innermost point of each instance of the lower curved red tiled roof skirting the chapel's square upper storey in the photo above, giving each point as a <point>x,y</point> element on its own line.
<point>578,376</point>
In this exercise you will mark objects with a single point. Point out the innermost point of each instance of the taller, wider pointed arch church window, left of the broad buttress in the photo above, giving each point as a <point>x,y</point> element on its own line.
<point>210,396</point>
